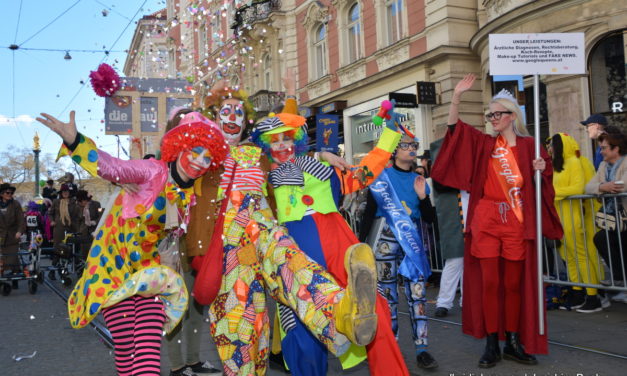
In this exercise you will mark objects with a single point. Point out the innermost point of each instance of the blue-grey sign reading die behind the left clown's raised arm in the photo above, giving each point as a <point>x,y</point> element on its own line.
<point>141,105</point>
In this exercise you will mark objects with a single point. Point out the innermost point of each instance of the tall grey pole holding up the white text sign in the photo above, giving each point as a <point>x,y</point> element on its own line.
<point>536,118</point>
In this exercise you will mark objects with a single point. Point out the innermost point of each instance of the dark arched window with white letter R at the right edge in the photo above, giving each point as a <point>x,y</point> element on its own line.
<point>607,78</point>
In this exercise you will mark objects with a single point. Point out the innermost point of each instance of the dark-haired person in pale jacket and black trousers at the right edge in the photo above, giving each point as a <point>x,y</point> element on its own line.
<point>612,217</point>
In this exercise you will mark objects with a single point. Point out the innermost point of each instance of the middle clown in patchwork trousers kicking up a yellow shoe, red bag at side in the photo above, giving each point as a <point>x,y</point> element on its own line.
<point>244,255</point>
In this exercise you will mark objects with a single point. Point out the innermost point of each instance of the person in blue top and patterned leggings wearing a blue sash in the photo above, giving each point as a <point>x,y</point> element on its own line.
<point>390,246</point>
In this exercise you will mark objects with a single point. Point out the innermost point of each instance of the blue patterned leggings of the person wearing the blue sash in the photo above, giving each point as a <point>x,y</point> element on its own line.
<point>389,254</point>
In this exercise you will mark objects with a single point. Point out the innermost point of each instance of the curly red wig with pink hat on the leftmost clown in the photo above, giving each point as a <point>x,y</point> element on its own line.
<point>194,130</point>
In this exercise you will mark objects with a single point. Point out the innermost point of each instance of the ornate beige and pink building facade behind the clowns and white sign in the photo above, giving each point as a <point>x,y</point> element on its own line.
<point>348,55</point>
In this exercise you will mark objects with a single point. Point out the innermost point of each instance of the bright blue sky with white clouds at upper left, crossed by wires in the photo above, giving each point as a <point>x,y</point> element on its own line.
<point>34,81</point>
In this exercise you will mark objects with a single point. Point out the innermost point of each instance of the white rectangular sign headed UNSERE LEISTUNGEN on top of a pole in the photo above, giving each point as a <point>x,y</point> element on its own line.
<point>549,53</point>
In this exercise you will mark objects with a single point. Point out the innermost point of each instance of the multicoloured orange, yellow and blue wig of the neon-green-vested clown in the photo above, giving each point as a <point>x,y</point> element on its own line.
<point>266,131</point>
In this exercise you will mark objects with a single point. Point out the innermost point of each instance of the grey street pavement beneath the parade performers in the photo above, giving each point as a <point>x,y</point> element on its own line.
<point>39,323</point>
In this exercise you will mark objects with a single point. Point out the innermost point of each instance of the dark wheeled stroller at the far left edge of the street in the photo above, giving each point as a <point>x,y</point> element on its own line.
<point>28,257</point>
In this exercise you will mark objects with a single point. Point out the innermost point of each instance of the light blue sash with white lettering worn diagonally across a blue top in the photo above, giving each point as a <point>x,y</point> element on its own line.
<point>415,263</point>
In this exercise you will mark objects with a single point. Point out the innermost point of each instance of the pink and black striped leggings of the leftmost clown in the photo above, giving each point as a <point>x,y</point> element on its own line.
<point>136,326</point>
